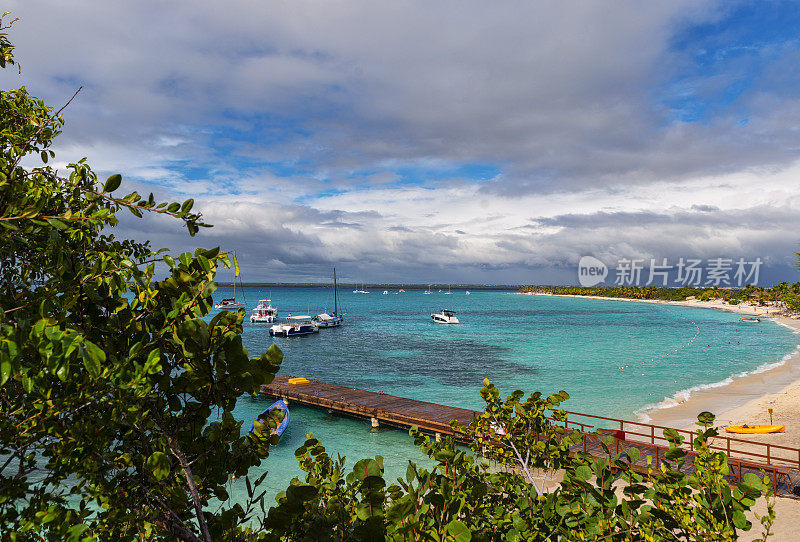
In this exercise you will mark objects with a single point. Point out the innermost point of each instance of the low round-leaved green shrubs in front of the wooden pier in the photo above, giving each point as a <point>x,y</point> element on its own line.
<point>465,497</point>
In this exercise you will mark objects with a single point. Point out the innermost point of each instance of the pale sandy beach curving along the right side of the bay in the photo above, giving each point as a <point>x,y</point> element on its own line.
<point>741,398</point>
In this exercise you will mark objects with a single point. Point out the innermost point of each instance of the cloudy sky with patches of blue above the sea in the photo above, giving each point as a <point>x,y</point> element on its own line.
<point>436,142</point>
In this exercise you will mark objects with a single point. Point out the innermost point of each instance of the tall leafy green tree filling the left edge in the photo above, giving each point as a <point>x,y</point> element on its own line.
<point>117,391</point>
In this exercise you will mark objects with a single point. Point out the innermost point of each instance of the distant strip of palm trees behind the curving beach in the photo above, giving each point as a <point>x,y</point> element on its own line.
<point>784,293</point>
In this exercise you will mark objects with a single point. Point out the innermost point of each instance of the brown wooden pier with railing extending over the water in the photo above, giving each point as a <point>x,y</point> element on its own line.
<point>782,464</point>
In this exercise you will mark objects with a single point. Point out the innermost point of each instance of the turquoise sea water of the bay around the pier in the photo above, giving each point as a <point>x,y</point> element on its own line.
<point>613,358</point>
